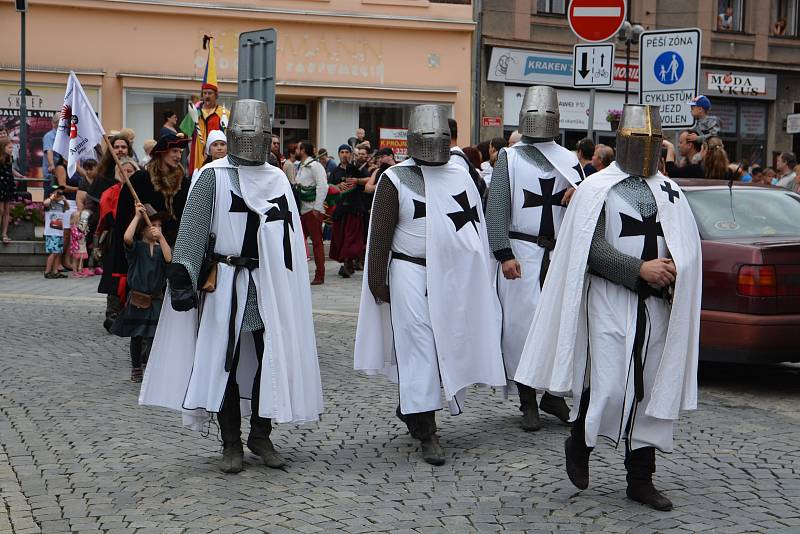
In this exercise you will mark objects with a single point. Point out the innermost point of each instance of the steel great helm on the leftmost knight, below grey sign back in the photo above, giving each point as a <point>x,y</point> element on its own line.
<point>248,133</point>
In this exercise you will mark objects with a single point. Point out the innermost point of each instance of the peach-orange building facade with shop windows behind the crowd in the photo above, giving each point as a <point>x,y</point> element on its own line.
<point>341,64</point>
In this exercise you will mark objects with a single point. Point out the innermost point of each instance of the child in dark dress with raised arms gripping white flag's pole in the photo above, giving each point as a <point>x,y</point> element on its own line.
<point>147,253</point>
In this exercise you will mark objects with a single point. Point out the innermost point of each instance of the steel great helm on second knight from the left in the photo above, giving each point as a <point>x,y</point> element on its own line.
<point>429,134</point>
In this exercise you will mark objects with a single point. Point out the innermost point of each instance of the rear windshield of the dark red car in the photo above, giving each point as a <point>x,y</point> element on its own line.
<point>747,212</point>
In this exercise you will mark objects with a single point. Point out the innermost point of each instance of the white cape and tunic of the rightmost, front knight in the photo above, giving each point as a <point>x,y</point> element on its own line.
<point>585,326</point>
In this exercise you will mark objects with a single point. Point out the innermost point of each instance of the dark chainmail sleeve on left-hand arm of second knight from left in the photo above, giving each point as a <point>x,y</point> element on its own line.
<point>385,213</point>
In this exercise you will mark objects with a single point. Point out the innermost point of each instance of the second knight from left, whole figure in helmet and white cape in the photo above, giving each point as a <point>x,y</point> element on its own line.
<point>429,252</point>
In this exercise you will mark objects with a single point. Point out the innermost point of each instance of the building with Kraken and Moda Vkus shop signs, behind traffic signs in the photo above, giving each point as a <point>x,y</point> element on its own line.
<point>749,67</point>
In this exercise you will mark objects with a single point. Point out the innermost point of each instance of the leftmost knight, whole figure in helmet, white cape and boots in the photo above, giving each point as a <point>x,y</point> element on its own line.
<point>250,347</point>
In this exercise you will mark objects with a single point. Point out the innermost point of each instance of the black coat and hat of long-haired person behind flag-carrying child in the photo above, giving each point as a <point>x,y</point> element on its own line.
<point>164,191</point>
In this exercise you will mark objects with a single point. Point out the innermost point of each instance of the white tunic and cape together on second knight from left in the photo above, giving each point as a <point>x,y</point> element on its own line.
<point>443,320</point>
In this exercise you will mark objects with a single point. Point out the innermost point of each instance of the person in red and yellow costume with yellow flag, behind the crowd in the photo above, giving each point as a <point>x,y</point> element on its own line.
<point>202,119</point>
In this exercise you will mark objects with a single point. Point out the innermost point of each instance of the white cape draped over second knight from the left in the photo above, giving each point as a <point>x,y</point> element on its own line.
<point>464,310</point>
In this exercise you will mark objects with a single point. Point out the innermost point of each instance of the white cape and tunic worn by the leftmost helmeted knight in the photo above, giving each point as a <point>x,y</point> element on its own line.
<point>186,368</point>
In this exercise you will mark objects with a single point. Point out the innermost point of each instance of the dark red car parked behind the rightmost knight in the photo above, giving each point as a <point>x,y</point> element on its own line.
<point>751,271</point>
